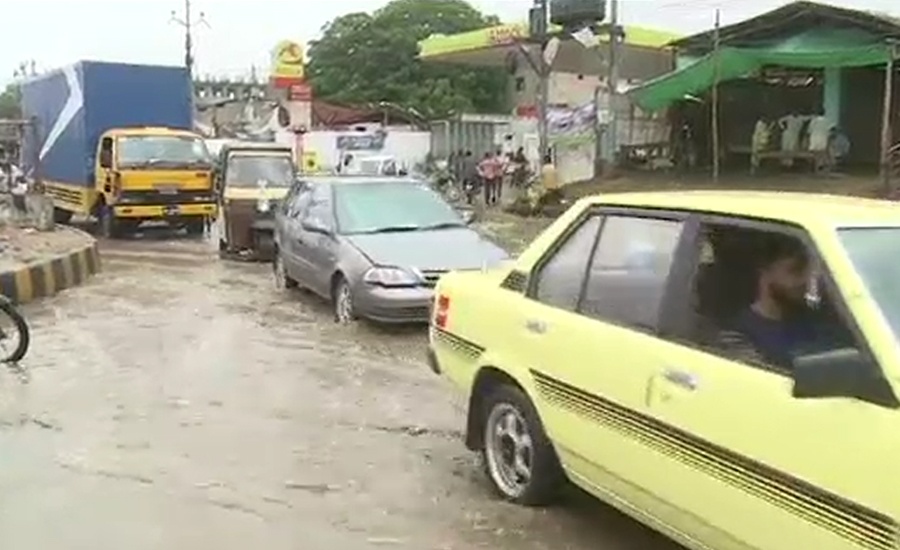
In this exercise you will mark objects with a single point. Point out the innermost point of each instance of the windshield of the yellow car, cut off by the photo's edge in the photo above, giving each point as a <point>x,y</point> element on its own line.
<point>874,253</point>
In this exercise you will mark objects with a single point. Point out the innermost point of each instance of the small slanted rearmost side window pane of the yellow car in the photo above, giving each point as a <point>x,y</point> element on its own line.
<point>560,279</point>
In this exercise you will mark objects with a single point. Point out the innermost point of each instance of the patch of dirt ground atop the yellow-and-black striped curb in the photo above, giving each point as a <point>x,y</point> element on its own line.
<point>21,246</point>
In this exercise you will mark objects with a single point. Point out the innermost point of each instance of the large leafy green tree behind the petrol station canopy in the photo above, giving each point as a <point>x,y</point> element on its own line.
<point>369,58</point>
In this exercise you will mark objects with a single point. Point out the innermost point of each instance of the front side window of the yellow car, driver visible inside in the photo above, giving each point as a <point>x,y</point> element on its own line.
<point>725,288</point>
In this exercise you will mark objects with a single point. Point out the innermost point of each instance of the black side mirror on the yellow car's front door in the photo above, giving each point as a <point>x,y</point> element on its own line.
<point>844,372</point>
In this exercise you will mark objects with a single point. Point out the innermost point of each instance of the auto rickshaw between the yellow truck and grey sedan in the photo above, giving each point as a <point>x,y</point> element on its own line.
<point>251,179</point>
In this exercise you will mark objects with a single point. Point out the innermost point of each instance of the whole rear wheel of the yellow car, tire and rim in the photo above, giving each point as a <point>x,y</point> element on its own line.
<point>517,455</point>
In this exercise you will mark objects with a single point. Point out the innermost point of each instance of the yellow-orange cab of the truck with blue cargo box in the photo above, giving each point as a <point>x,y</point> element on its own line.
<point>152,174</point>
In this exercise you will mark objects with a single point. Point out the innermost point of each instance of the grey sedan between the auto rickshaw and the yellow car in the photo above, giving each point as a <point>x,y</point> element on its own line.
<point>373,246</point>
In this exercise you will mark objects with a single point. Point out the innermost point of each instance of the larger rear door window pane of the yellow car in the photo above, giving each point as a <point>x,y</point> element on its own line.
<point>628,273</point>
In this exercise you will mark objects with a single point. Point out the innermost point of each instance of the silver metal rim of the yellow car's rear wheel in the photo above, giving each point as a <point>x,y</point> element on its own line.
<point>509,450</point>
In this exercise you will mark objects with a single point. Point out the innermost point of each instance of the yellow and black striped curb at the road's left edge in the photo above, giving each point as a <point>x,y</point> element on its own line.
<point>47,277</point>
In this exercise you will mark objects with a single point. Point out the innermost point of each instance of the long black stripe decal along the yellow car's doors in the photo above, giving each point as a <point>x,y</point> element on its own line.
<point>863,526</point>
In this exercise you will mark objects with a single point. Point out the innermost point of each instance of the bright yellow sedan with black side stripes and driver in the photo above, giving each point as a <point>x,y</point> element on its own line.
<point>722,366</point>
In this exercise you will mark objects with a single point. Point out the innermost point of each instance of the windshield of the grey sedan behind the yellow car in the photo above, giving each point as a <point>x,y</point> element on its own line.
<point>393,206</point>
